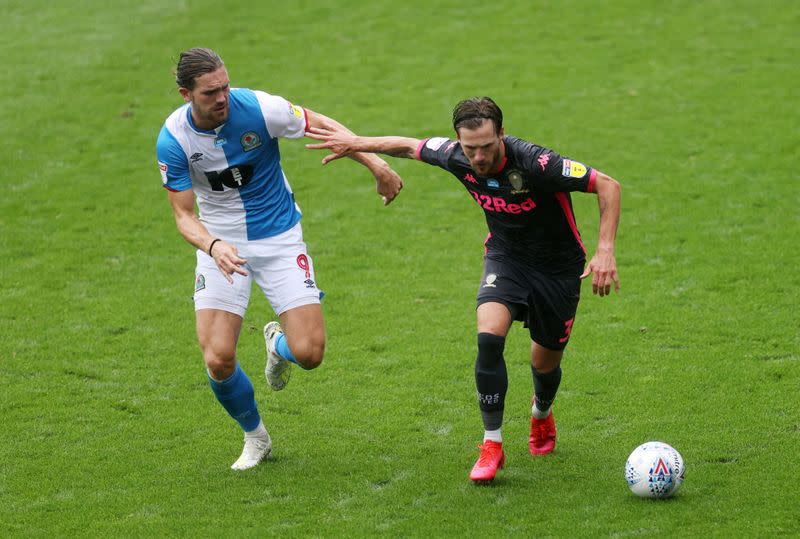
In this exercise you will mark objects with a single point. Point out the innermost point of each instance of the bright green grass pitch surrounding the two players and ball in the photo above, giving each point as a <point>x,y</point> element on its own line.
<point>109,427</point>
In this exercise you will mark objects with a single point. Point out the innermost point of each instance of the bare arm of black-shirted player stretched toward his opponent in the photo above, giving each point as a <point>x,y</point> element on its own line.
<point>344,143</point>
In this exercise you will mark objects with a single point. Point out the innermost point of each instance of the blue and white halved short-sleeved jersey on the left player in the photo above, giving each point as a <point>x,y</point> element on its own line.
<point>241,190</point>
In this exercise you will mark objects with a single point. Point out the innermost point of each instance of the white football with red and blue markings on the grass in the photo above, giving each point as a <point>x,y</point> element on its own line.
<point>654,470</point>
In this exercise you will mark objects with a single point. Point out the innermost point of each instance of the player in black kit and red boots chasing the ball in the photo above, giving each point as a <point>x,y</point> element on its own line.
<point>534,259</point>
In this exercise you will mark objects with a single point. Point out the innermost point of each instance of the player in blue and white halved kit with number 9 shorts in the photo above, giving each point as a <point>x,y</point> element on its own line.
<point>220,149</point>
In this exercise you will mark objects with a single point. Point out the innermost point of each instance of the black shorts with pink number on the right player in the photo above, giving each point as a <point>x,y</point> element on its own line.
<point>546,304</point>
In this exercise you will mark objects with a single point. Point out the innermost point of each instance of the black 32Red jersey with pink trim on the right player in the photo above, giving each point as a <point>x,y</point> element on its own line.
<point>527,203</point>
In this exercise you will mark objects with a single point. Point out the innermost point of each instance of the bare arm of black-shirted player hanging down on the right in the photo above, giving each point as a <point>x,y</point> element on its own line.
<point>603,265</point>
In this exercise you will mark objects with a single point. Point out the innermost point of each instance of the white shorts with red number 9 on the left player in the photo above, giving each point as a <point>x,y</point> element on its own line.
<point>279,265</point>
